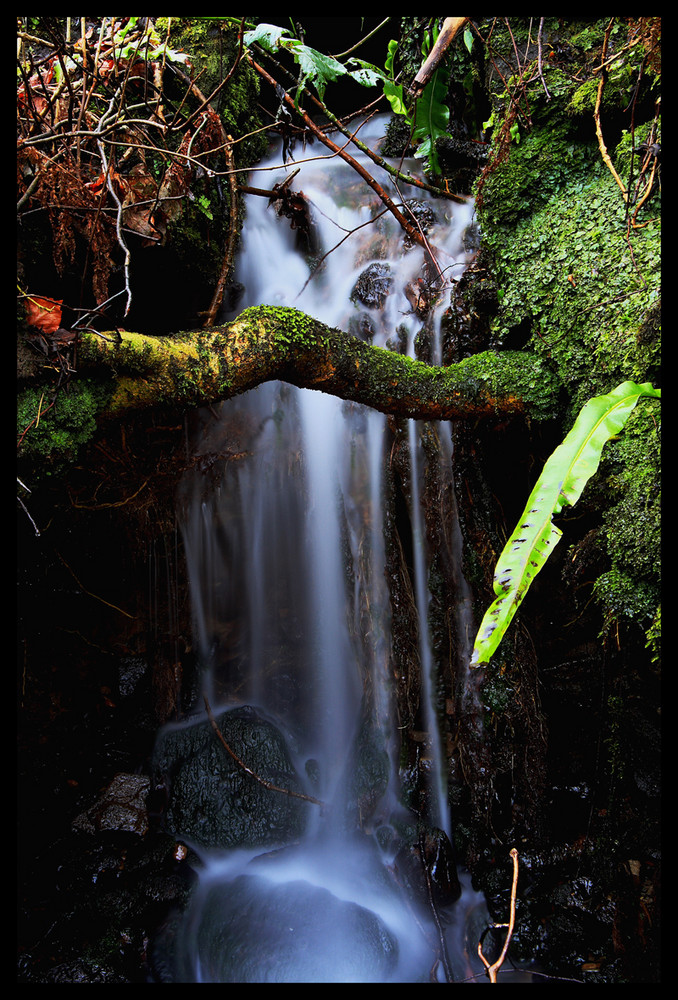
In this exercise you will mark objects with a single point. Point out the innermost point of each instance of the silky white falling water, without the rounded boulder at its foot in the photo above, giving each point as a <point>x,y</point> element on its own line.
<point>286,554</point>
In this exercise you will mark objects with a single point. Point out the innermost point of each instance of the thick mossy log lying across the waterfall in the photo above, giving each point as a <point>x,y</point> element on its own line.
<point>266,343</point>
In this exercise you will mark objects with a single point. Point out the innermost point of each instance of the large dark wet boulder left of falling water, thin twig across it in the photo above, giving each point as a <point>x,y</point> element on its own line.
<point>212,801</point>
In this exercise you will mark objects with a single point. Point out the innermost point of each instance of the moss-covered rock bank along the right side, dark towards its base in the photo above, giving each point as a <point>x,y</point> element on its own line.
<point>575,262</point>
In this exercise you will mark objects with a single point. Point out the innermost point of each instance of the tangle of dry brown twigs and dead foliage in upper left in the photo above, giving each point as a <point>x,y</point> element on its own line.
<point>102,150</point>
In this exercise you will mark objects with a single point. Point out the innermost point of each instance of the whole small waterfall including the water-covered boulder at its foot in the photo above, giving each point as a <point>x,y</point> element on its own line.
<point>284,533</point>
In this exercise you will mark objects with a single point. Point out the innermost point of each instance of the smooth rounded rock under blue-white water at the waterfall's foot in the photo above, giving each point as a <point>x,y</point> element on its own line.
<point>259,931</point>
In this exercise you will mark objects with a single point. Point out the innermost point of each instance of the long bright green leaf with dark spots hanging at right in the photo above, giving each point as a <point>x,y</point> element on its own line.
<point>561,483</point>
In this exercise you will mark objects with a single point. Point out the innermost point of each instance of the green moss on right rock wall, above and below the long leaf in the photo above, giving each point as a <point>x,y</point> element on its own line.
<point>578,280</point>
